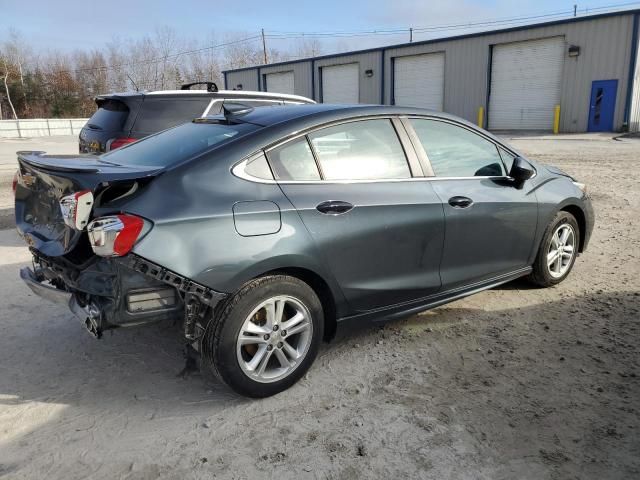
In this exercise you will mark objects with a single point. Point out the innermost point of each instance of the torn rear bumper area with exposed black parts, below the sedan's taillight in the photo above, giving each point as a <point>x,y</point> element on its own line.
<point>120,292</point>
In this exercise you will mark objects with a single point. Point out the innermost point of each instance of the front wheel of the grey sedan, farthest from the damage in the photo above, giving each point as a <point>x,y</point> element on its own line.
<point>546,274</point>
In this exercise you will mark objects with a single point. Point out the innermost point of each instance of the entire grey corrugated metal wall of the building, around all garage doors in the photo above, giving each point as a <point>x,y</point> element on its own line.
<point>605,51</point>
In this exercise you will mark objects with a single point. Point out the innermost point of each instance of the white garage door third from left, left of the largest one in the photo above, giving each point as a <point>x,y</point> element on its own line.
<point>418,81</point>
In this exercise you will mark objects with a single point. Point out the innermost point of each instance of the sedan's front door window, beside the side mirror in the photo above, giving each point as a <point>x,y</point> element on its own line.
<point>454,151</point>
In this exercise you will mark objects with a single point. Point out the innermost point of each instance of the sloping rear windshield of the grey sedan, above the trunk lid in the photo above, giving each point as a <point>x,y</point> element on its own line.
<point>177,144</point>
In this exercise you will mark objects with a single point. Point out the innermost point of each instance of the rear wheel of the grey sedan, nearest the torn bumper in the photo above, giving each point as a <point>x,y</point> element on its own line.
<point>246,343</point>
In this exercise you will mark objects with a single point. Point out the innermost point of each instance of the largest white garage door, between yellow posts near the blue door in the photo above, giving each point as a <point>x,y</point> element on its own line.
<point>526,80</point>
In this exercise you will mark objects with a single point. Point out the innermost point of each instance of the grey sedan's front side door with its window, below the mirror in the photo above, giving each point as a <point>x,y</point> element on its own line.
<point>490,224</point>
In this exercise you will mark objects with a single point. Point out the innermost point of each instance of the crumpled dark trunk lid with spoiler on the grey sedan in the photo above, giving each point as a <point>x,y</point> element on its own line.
<point>45,179</point>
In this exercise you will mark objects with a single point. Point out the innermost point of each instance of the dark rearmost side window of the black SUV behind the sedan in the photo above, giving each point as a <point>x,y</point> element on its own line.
<point>158,114</point>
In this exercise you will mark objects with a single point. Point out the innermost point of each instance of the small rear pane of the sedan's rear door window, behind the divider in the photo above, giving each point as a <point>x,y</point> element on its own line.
<point>294,161</point>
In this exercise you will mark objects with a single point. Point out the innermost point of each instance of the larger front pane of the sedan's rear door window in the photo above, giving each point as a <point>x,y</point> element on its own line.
<point>362,150</point>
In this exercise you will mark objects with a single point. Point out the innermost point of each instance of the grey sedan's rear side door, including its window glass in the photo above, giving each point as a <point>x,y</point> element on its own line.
<point>379,230</point>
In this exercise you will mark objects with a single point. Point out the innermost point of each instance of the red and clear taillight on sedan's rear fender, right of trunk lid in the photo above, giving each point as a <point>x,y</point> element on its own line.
<point>115,235</point>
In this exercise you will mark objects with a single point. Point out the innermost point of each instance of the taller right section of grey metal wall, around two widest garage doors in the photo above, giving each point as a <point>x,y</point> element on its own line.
<point>604,54</point>
